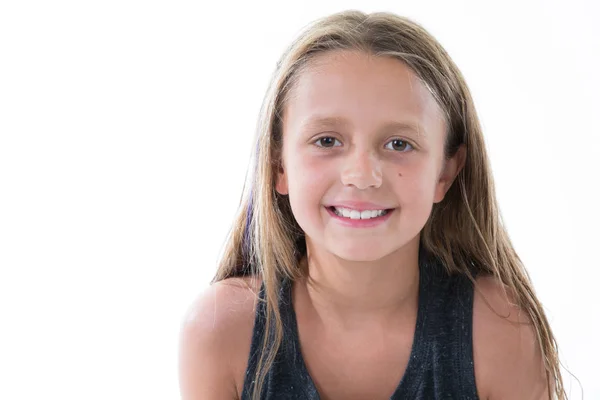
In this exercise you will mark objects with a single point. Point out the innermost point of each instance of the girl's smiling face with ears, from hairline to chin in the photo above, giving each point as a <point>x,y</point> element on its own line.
<point>362,133</point>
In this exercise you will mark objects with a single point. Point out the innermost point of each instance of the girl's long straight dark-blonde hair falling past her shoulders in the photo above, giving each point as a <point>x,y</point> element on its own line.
<point>465,230</point>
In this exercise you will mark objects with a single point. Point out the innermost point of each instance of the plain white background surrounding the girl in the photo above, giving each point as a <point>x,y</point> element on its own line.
<point>126,130</point>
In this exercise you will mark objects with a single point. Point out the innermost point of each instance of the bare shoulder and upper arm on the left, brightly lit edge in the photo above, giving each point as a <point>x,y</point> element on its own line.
<point>215,338</point>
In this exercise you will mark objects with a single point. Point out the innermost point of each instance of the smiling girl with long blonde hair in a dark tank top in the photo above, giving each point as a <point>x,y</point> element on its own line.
<point>368,259</point>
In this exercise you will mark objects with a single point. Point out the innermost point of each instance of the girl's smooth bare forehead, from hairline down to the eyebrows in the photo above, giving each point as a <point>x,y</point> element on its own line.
<point>347,87</point>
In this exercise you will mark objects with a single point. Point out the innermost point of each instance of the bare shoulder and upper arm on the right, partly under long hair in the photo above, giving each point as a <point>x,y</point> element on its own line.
<point>507,358</point>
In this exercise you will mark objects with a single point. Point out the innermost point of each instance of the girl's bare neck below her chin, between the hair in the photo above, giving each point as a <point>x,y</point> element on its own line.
<point>357,295</point>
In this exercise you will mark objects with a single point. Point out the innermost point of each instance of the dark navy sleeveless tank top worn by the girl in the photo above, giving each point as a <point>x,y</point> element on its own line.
<point>441,360</point>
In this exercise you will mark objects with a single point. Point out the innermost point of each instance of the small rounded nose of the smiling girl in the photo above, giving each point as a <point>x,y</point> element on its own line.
<point>362,170</point>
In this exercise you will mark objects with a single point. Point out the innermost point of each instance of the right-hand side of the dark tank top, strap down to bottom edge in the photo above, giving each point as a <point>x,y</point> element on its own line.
<point>447,341</point>
